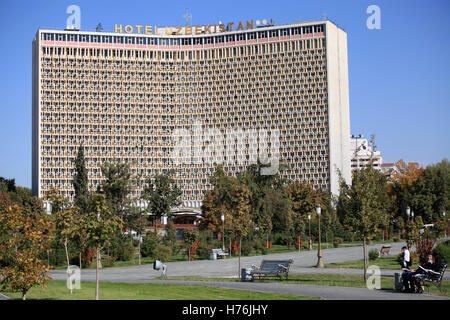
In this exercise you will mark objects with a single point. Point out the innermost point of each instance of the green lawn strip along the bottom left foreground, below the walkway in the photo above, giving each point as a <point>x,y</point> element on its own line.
<point>57,290</point>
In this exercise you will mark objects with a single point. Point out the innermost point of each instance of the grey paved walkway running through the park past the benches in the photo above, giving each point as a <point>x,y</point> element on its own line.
<point>304,262</point>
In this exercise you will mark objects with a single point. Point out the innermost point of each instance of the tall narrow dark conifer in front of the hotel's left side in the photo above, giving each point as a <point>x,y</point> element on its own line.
<point>80,181</point>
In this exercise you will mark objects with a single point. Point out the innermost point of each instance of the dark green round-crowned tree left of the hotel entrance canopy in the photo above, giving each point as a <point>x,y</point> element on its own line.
<point>162,194</point>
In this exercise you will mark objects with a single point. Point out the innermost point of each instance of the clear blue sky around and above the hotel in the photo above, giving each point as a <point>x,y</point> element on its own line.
<point>399,76</point>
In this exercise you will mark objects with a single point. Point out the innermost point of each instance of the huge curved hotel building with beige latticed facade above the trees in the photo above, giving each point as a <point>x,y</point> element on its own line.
<point>138,98</point>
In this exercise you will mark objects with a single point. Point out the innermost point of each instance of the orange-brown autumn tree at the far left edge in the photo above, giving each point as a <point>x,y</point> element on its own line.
<point>25,236</point>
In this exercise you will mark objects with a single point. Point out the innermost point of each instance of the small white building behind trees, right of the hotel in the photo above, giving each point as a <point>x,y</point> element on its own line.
<point>362,152</point>
